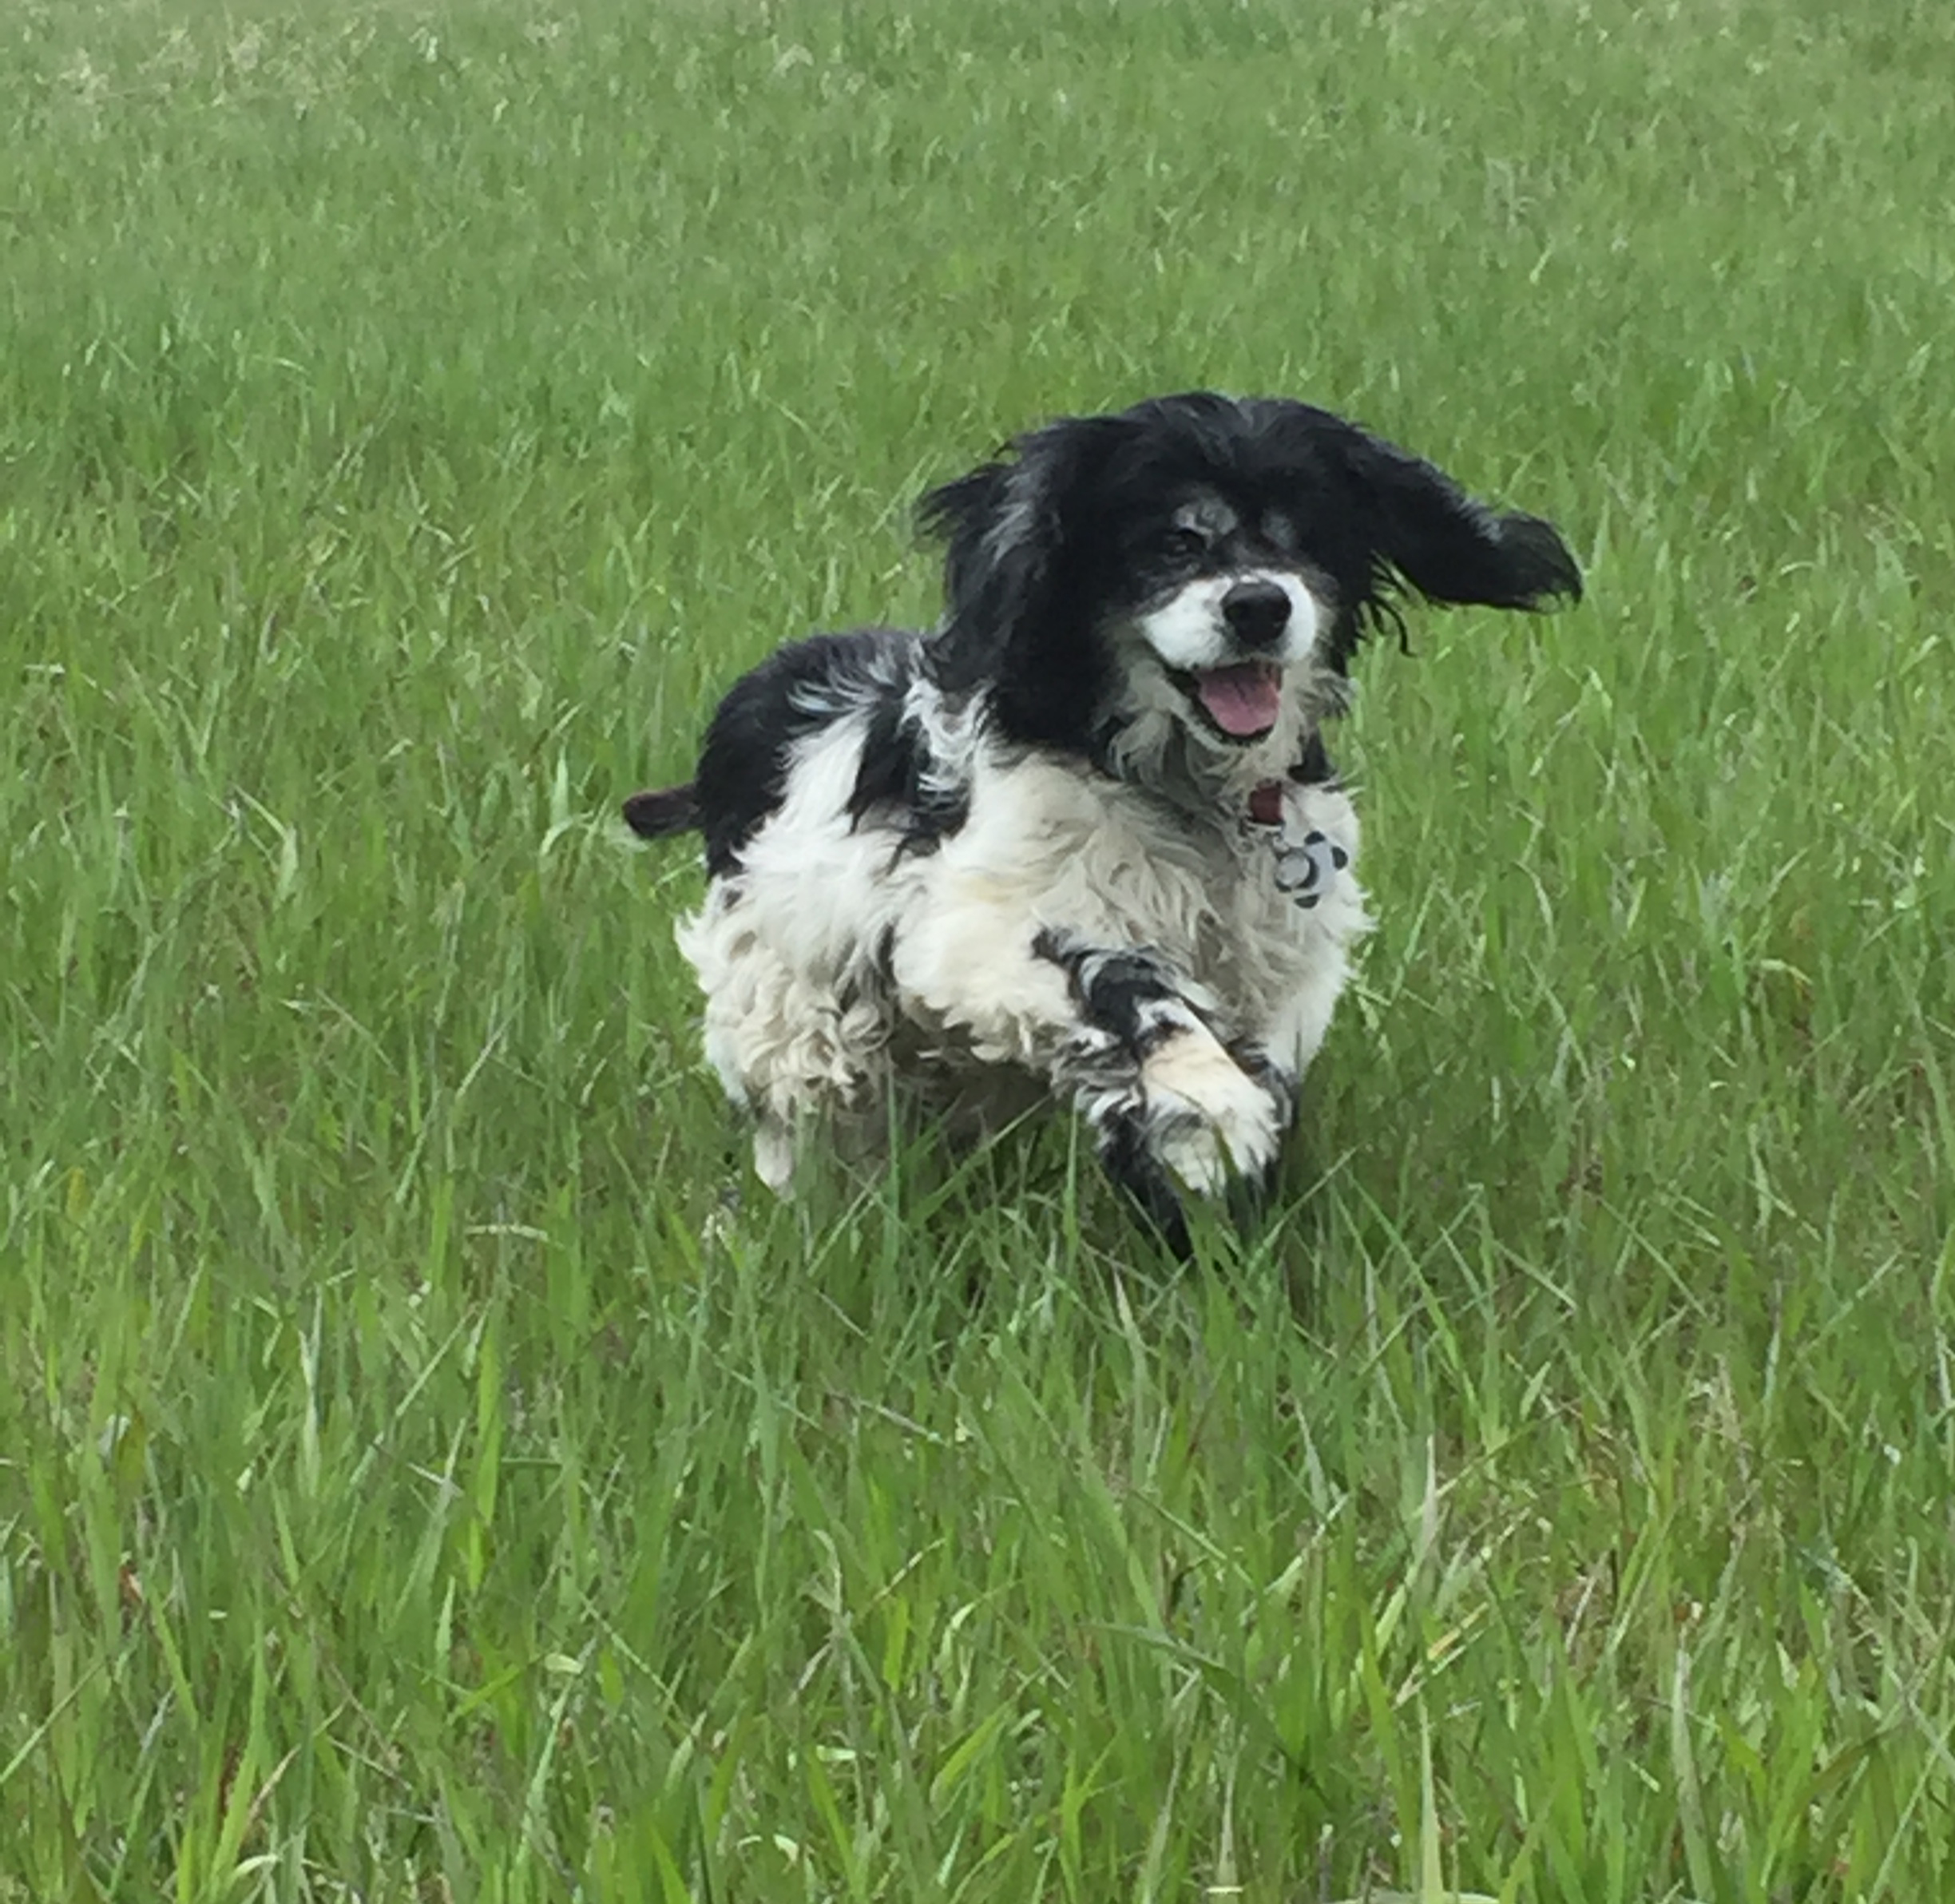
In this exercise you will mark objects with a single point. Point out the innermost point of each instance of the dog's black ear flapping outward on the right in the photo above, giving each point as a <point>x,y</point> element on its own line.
<point>1452,548</point>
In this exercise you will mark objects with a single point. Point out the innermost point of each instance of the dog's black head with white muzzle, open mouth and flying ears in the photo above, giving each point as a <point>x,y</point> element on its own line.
<point>1182,585</point>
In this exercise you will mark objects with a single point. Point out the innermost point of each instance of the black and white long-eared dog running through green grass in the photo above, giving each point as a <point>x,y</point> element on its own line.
<point>1084,840</point>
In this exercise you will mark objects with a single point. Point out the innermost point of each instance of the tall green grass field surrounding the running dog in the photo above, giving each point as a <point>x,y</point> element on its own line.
<point>431,1471</point>
